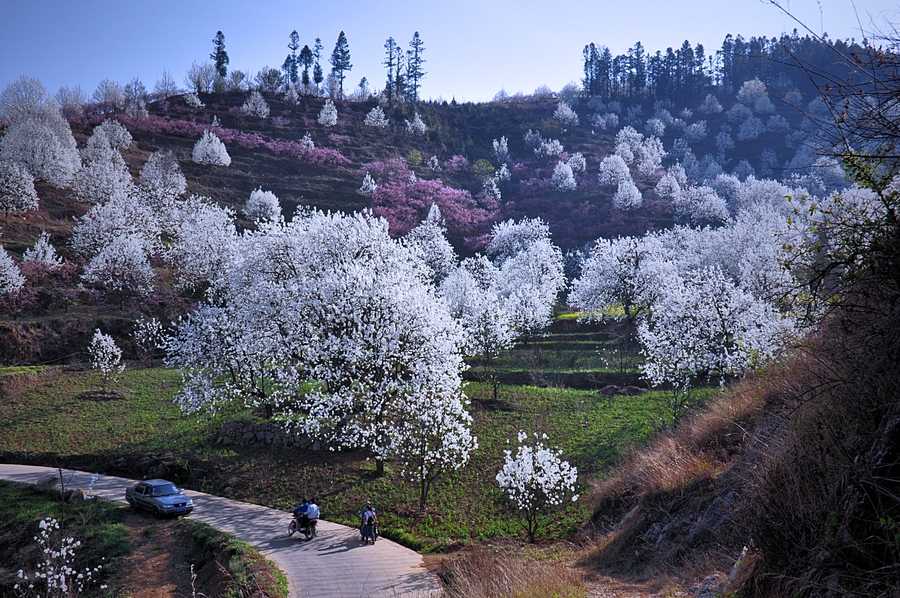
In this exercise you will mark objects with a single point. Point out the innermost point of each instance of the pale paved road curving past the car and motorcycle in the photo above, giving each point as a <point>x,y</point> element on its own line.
<point>334,564</point>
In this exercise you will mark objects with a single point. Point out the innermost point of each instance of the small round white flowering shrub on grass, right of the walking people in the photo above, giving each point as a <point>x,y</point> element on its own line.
<point>536,480</point>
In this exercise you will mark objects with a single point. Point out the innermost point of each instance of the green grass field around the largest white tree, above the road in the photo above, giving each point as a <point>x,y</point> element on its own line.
<point>54,415</point>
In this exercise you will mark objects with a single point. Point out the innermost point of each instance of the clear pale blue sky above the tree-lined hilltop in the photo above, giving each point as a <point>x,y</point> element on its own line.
<point>473,47</point>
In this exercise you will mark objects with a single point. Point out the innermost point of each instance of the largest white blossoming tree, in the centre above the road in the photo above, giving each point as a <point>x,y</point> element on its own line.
<point>332,299</point>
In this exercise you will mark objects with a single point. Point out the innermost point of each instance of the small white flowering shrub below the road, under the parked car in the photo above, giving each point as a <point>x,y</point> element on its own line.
<point>55,576</point>
